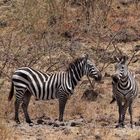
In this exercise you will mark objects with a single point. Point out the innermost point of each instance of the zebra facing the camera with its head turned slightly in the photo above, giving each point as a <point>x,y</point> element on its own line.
<point>125,90</point>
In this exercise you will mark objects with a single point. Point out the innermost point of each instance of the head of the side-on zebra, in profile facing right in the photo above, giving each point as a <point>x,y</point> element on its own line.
<point>91,70</point>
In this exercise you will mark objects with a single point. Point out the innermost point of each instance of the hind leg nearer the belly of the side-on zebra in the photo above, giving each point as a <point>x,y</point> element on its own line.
<point>26,100</point>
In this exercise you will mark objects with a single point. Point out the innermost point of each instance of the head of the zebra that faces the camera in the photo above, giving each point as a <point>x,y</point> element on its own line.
<point>121,69</point>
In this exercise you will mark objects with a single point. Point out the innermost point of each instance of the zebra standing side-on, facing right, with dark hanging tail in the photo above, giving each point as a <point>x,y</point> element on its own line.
<point>27,82</point>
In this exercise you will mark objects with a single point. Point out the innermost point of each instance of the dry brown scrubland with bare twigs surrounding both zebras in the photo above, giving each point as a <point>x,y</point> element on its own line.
<point>47,35</point>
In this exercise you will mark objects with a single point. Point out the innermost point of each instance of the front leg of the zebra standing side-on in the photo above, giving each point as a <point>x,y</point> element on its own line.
<point>62,103</point>
